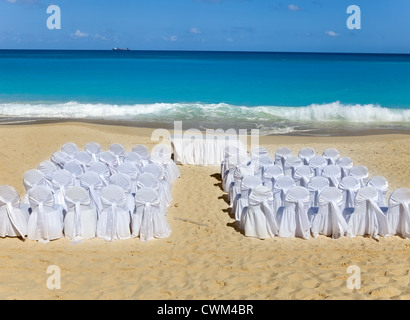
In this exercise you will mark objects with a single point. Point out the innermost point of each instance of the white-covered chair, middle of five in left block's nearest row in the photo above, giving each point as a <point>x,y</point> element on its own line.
<point>80,221</point>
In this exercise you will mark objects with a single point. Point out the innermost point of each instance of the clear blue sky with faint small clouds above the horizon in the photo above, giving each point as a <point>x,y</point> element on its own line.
<point>235,25</point>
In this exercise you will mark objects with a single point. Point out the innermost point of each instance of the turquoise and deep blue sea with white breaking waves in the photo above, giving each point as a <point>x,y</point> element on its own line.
<point>275,92</point>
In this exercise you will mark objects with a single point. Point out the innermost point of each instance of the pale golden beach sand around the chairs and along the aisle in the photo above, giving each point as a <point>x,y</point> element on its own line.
<point>212,260</point>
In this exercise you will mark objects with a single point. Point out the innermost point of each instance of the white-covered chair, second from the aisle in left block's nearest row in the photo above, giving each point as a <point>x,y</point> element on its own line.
<point>114,221</point>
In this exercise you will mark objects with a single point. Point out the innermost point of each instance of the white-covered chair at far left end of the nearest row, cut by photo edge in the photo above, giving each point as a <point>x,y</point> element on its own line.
<point>13,221</point>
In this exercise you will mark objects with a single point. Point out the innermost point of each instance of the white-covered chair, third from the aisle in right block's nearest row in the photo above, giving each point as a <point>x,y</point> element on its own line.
<point>329,219</point>
